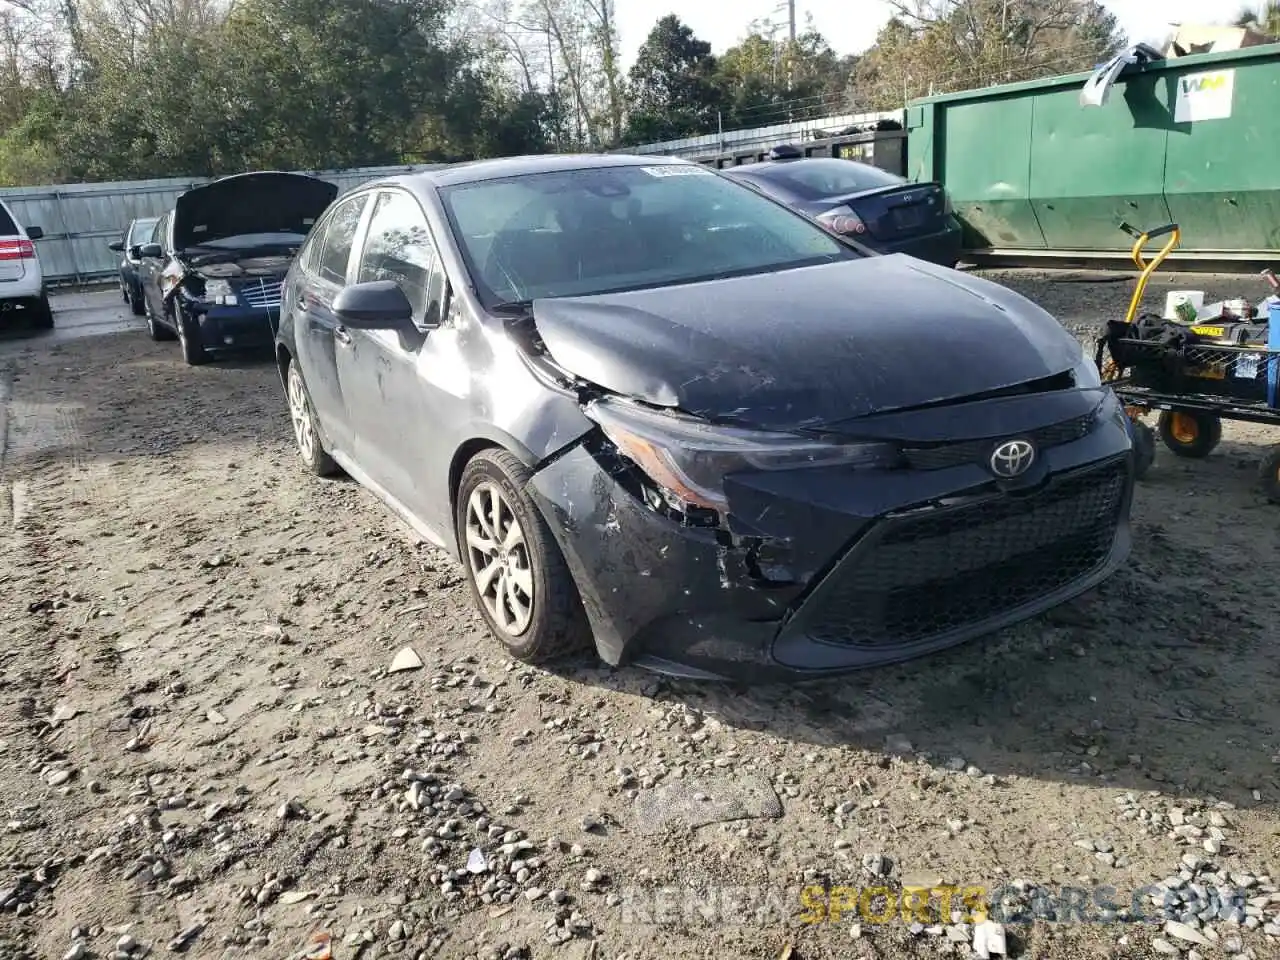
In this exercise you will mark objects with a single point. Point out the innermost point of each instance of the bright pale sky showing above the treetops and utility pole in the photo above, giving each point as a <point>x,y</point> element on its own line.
<point>851,26</point>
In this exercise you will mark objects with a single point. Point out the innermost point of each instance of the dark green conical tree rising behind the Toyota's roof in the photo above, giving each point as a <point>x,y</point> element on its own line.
<point>673,85</point>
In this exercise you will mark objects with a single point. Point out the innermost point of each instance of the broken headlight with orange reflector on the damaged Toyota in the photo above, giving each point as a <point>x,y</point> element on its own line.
<point>689,459</point>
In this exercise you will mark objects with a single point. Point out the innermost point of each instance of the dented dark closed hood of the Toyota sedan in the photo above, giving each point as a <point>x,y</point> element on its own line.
<point>810,346</point>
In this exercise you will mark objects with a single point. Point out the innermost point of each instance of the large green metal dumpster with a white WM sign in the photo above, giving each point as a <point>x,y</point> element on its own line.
<point>1194,140</point>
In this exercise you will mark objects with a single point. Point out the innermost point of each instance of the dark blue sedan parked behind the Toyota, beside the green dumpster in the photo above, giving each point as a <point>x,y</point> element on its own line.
<point>876,208</point>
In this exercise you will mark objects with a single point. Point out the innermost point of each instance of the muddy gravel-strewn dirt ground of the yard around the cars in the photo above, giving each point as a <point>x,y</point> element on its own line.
<point>204,747</point>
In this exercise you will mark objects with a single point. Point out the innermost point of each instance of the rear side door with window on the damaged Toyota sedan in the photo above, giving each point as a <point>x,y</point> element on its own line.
<point>322,273</point>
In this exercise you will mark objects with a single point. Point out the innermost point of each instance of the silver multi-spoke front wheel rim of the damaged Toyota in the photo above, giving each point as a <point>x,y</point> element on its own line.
<point>500,561</point>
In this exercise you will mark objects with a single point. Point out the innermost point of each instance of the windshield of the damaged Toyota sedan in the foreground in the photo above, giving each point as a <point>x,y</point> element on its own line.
<point>609,230</point>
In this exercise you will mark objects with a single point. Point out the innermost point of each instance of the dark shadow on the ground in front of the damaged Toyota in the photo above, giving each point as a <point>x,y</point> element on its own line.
<point>1162,679</point>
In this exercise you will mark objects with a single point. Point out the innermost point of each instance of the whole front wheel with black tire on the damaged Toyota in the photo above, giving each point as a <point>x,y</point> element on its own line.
<point>518,575</point>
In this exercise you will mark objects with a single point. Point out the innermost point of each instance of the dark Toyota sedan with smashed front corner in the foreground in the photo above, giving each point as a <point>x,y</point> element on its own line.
<point>651,409</point>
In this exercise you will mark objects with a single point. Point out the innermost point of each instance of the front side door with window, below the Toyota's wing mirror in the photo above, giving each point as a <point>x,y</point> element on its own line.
<point>406,388</point>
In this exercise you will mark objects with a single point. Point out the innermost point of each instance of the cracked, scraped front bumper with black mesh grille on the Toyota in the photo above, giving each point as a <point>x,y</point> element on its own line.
<point>830,572</point>
